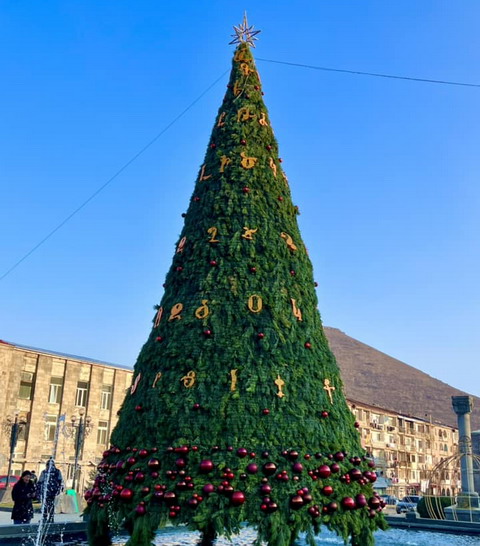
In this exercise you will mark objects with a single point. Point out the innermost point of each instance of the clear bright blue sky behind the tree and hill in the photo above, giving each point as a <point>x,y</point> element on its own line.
<point>385,172</point>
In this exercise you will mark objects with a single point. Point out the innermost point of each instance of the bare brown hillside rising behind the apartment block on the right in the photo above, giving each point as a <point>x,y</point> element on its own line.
<point>373,377</point>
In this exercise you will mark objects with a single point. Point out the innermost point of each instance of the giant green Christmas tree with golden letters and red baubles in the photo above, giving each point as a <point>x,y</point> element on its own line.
<point>236,411</point>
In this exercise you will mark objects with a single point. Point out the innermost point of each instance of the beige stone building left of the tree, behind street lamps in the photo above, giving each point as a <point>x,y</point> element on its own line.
<point>51,394</point>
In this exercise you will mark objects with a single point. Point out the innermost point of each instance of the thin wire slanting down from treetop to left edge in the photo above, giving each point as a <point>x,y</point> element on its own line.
<point>112,178</point>
